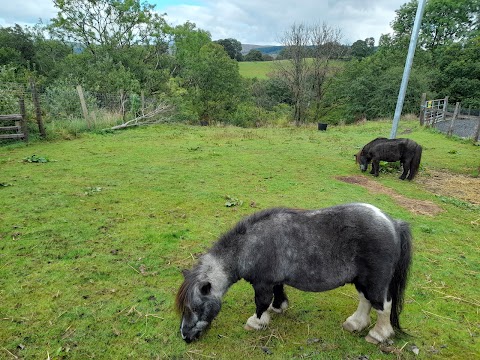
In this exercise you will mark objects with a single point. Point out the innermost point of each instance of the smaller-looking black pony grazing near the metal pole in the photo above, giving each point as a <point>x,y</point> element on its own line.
<point>382,149</point>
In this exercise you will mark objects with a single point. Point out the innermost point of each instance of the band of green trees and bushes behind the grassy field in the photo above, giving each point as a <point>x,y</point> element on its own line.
<point>108,46</point>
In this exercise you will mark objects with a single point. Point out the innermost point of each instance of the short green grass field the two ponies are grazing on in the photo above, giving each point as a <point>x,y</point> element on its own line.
<point>94,233</point>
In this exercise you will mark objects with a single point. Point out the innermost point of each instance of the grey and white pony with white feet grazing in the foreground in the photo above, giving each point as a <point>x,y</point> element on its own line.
<point>311,250</point>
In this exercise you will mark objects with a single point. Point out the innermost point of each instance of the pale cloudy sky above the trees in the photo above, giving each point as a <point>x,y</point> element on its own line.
<point>249,21</point>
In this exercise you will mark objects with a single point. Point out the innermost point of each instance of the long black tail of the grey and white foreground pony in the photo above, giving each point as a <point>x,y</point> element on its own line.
<point>400,276</point>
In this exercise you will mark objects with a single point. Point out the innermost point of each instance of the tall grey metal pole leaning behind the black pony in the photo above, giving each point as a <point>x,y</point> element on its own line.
<point>408,66</point>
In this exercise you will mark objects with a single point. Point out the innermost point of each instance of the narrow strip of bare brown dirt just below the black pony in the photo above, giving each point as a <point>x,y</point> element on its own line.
<point>422,207</point>
